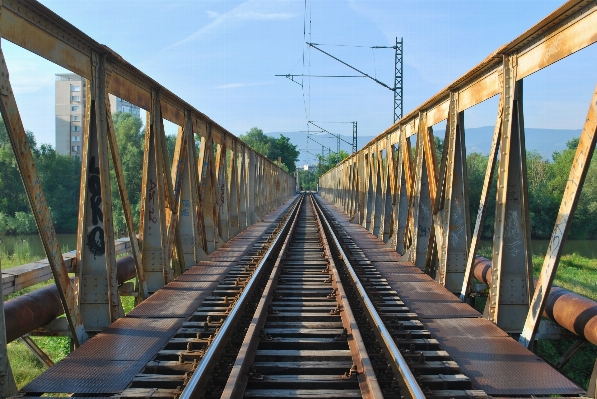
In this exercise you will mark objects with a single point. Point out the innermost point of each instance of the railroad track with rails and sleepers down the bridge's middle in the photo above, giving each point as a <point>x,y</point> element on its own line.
<point>304,315</point>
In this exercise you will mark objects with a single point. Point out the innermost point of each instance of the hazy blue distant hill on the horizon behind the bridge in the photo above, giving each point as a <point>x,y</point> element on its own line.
<point>544,141</point>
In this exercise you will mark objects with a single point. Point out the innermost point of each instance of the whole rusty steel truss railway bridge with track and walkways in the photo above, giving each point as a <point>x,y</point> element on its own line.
<point>246,287</point>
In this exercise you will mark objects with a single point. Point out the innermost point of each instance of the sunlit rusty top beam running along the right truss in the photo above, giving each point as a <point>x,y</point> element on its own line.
<point>570,28</point>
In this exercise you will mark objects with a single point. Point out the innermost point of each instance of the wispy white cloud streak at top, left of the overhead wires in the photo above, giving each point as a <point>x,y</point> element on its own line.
<point>252,10</point>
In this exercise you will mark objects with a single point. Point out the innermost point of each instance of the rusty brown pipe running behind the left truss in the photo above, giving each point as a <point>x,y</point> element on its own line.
<point>28,312</point>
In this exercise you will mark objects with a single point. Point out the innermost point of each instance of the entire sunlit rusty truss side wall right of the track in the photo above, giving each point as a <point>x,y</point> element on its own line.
<point>570,28</point>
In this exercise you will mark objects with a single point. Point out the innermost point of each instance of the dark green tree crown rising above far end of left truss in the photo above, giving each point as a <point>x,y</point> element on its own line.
<point>273,148</point>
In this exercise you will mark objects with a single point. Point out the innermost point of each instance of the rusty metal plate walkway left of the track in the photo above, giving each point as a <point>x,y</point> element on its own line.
<point>108,362</point>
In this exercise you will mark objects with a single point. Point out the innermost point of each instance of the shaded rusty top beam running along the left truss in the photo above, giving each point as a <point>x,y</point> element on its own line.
<point>34,27</point>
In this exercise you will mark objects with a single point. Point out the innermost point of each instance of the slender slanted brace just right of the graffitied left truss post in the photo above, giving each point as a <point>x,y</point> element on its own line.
<point>126,206</point>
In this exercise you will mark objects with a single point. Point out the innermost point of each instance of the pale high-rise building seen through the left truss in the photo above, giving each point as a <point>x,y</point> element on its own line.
<point>70,112</point>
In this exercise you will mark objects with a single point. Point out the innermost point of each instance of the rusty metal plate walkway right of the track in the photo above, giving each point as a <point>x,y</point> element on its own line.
<point>492,360</point>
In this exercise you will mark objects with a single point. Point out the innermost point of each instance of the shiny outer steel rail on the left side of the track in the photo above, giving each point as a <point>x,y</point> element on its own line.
<point>202,373</point>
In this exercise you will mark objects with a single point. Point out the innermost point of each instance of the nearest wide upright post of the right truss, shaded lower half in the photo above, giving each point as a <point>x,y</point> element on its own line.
<point>510,290</point>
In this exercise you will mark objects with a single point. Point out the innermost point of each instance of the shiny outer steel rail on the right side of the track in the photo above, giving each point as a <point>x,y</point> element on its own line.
<point>411,383</point>
